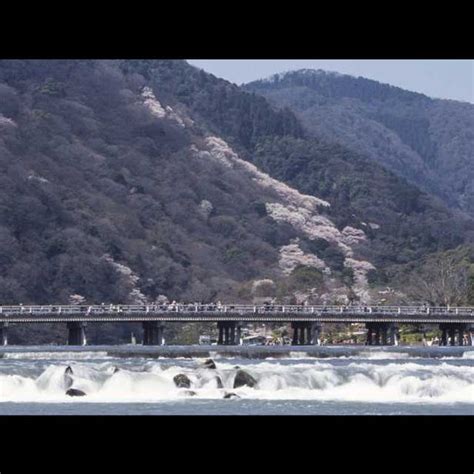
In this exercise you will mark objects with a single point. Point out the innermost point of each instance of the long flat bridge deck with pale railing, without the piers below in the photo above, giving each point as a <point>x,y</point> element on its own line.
<point>248,313</point>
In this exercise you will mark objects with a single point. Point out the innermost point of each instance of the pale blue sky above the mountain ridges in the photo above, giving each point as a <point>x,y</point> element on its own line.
<point>443,79</point>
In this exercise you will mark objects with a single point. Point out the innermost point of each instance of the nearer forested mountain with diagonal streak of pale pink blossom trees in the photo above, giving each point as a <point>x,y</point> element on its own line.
<point>122,181</point>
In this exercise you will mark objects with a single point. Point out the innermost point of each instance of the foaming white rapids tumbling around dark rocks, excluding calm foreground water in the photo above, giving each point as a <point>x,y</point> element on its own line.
<point>27,378</point>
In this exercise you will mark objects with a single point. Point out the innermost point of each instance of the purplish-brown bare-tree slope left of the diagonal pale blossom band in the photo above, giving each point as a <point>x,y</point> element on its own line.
<point>101,196</point>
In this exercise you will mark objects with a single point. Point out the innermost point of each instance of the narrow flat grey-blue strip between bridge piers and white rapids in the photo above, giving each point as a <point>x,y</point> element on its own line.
<point>248,352</point>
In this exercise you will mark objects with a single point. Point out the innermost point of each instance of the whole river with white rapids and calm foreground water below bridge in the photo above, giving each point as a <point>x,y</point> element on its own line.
<point>33,381</point>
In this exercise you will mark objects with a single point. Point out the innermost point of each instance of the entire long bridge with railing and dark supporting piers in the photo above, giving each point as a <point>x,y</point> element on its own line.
<point>455,323</point>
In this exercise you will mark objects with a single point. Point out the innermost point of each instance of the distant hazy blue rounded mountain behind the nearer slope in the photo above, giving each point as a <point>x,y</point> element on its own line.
<point>429,142</point>
